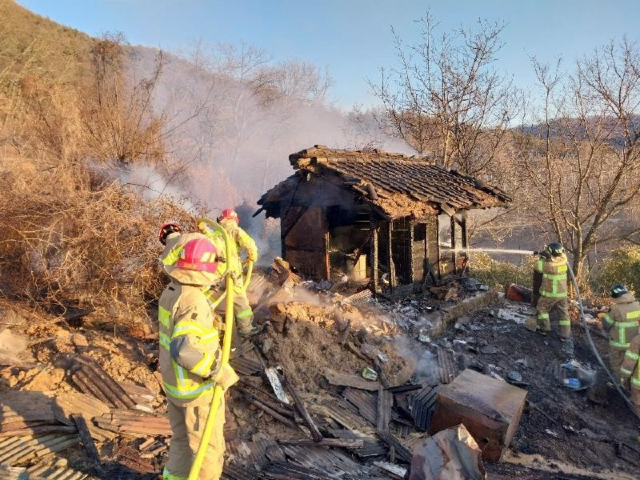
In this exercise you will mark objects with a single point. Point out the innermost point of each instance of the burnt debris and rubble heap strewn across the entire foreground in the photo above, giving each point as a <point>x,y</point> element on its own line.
<point>334,387</point>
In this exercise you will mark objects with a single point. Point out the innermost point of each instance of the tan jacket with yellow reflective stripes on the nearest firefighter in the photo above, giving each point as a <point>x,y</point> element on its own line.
<point>189,343</point>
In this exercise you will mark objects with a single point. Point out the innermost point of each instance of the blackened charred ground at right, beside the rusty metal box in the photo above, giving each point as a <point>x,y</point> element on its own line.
<point>583,428</point>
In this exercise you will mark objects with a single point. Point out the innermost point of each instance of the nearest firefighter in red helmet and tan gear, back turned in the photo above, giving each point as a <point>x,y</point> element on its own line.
<point>190,361</point>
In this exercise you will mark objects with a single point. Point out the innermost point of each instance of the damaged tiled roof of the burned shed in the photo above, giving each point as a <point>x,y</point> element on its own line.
<point>404,185</point>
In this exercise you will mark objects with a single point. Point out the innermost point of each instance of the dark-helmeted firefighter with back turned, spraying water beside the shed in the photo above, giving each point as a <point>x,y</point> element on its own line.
<point>553,290</point>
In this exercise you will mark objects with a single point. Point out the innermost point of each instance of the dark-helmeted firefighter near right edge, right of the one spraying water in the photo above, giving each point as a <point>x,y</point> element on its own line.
<point>622,324</point>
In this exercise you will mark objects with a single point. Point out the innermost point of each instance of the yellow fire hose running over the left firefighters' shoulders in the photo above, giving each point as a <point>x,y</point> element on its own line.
<point>226,351</point>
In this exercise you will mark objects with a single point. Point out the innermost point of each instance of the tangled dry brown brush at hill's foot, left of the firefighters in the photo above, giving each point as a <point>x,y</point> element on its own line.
<point>67,235</point>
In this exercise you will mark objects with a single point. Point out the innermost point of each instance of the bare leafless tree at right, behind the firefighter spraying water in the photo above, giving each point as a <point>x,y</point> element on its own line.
<point>583,163</point>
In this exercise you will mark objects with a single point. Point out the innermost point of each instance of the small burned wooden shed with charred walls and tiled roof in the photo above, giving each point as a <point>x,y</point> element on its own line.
<point>388,218</point>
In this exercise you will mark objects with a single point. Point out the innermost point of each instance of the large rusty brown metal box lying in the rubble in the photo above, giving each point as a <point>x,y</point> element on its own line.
<point>490,409</point>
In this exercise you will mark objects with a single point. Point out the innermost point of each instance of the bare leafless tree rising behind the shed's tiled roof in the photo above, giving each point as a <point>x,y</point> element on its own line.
<point>444,98</point>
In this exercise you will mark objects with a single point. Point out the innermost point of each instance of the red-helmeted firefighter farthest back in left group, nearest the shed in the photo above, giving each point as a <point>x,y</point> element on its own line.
<point>240,242</point>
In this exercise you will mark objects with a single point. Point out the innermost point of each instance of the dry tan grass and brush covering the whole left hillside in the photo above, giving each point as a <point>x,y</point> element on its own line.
<point>70,235</point>
